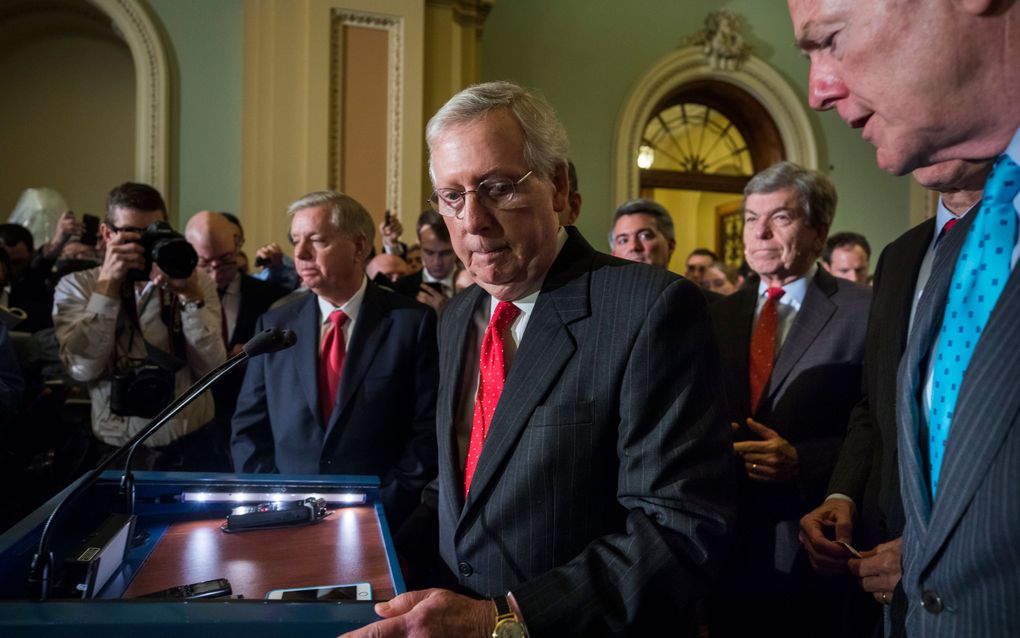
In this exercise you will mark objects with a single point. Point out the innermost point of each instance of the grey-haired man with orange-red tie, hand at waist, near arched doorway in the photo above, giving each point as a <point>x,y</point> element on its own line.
<point>792,349</point>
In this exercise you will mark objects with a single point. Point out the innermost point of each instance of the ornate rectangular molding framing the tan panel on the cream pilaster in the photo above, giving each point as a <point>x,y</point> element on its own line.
<point>394,26</point>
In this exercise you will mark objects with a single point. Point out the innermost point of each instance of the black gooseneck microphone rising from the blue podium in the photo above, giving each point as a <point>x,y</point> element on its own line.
<point>270,340</point>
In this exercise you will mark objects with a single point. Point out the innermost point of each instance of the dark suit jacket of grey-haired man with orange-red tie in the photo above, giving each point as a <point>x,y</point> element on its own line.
<point>815,383</point>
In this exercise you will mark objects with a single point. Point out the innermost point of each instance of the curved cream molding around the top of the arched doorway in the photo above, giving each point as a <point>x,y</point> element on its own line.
<point>690,65</point>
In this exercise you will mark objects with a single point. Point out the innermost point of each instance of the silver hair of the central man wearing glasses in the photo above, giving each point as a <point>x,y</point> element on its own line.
<point>546,145</point>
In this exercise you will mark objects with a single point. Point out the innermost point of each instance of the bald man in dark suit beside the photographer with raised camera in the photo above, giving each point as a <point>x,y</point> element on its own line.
<point>218,242</point>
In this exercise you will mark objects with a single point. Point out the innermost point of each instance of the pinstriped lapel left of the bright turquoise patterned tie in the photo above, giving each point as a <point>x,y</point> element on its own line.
<point>913,482</point>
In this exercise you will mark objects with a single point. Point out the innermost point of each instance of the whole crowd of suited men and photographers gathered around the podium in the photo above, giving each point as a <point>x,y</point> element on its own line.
<point>574,443</point>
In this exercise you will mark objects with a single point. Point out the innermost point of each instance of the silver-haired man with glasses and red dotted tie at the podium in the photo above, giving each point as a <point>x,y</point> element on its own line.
<point>585,471</point>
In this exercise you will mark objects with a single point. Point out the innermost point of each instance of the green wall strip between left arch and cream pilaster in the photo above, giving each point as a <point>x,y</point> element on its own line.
<point>207,43</point>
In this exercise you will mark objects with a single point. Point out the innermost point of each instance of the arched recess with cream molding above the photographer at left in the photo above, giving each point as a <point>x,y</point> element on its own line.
<point>92,83</point>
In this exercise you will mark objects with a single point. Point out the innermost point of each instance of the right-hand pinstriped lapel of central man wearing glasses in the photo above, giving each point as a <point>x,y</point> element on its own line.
<point>545,350</point>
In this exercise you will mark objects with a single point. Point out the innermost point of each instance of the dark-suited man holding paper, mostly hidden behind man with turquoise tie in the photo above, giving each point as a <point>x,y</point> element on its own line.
<point>863,507</point>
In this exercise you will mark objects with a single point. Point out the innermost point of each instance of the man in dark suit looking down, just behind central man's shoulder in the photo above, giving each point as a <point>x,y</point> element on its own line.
<point>434,284</point>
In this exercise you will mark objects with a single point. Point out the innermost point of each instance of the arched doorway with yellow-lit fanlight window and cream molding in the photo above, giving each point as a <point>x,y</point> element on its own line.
<point>740,120</point>
